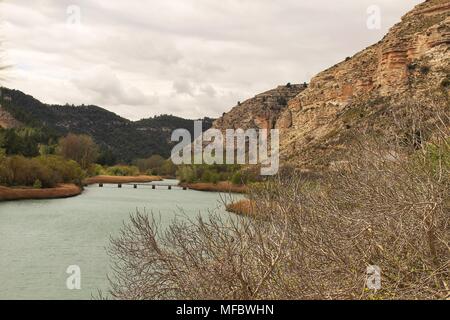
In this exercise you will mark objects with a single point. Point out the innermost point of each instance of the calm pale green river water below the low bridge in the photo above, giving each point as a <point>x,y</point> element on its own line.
<point>40,239</point>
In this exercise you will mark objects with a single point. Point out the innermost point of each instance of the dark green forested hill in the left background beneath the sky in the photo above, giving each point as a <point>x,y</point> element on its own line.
<point>126,139</point>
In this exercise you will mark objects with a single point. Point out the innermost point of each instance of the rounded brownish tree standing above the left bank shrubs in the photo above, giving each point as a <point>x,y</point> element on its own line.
<point>80,148</point>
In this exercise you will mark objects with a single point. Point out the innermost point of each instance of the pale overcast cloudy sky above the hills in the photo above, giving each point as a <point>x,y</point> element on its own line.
<point>190,58</point>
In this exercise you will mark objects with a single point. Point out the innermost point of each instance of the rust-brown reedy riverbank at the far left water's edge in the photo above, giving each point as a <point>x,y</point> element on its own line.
<point>61,191</point>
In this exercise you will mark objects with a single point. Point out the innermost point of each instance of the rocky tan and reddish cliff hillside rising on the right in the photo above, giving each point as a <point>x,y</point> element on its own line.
<point>411,64</point>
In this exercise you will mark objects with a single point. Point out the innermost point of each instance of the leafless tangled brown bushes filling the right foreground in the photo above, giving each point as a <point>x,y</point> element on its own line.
<point>389,207</point>
